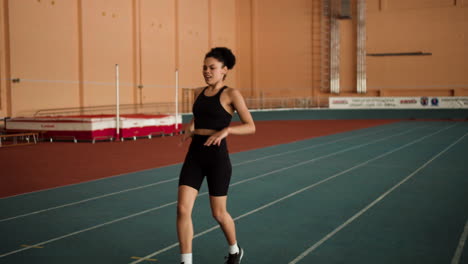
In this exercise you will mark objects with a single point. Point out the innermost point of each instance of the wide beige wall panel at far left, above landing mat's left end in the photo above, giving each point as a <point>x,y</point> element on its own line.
<point>43,43</point>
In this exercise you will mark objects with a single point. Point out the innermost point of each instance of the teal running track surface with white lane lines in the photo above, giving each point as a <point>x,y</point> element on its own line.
<point>394,193</point>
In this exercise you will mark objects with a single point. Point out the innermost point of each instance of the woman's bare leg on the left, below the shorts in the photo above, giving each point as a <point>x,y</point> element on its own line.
<point>185,202</point>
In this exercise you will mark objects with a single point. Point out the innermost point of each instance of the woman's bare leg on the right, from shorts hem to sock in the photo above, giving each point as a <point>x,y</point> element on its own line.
<point>221,215</point>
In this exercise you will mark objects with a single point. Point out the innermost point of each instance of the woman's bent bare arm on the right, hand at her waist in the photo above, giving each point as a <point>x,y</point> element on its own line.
<point>247,126</point>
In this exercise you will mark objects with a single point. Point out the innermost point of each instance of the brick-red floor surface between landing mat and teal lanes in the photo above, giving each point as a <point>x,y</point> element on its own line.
<point>46,165</point>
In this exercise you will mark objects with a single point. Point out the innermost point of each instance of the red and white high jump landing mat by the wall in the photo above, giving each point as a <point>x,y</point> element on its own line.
<point>96,127</point>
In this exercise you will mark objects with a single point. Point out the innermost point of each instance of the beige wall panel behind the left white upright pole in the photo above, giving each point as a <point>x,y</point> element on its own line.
<point>108,40</point>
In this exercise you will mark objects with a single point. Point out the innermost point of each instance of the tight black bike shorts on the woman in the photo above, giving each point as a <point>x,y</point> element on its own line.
<point>212,161</point>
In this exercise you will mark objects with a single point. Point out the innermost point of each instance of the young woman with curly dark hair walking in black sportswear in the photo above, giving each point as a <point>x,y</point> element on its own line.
<point>208,154</point>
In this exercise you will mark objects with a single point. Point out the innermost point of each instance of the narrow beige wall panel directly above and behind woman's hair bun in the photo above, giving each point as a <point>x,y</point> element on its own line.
<point>223,31</point>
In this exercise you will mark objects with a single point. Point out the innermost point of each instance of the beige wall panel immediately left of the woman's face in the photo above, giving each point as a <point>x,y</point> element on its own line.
<point>193,41</point>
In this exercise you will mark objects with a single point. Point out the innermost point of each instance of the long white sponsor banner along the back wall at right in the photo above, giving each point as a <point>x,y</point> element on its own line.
<point>398,102</point>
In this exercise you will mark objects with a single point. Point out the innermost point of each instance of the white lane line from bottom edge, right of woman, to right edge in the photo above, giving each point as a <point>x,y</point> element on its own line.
<point>365,209</point>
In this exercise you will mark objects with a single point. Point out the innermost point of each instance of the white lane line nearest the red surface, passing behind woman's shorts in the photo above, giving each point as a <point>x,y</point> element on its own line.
<point>176,178</point>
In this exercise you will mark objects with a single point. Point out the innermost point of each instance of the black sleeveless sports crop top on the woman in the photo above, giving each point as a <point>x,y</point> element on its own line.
<point>208,112</point>
